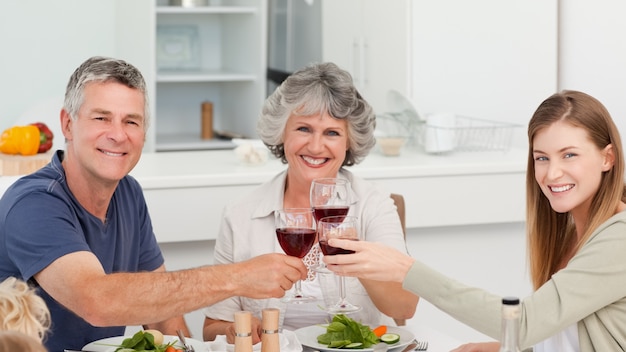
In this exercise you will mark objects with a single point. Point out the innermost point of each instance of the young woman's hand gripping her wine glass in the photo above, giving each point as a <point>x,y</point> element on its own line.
<point>371,260</point>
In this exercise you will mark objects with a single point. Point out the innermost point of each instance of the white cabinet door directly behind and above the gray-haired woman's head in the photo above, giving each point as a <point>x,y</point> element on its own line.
<point>370,39</point>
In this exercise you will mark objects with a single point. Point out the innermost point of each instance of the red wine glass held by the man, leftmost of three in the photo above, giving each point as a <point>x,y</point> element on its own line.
<point>295,230</point>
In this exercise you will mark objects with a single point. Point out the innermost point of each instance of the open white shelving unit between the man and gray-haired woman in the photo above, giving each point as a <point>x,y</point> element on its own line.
<point>191,55</point>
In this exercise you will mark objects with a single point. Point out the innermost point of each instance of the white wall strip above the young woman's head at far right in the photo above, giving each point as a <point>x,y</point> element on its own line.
<point>592,54</point>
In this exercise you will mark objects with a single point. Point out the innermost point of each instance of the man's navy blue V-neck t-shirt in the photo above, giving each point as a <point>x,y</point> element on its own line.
<point>40,221</point>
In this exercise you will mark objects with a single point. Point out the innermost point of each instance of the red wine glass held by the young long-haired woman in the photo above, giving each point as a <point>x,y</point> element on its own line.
<point>344,227</point>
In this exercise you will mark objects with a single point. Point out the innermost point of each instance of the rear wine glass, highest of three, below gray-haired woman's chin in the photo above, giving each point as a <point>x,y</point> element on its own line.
<point>329,197</point>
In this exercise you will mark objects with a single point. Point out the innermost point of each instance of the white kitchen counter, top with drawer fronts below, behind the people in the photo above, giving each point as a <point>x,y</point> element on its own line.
<point>186,191</point>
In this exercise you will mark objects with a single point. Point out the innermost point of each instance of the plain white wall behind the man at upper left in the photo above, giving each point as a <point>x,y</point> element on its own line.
<point>42,43</point>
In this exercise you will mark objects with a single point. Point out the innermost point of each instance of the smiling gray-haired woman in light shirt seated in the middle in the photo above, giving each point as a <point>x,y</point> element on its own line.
<point>317,123</point>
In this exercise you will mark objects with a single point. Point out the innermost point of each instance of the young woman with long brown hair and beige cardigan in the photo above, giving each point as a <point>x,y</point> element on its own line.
<point>576,227</point>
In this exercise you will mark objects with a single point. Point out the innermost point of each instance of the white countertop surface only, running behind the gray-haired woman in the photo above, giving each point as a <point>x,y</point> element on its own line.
<point>221,167</point>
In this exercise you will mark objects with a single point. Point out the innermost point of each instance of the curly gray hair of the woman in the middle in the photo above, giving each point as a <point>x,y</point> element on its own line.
<point>315,89</point>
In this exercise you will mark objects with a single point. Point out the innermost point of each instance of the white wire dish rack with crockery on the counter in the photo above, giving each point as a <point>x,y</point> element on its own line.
<point>472,134</point>
